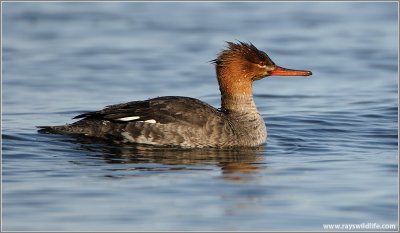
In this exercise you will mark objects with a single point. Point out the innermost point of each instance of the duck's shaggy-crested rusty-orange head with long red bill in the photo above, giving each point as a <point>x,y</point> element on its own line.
<point>242,63</point>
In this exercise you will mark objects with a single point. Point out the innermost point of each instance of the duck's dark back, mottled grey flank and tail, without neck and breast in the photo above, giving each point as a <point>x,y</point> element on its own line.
<point>170,120</point>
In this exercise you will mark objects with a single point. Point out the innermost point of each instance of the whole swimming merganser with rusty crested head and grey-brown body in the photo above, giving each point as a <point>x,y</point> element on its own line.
<point>188,122</point>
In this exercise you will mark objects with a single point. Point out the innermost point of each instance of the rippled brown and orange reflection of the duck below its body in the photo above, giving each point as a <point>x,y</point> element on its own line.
<point>233,163</point>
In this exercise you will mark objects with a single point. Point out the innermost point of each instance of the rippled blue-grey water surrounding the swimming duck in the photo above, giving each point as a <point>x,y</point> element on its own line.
<point>332,150</point>
